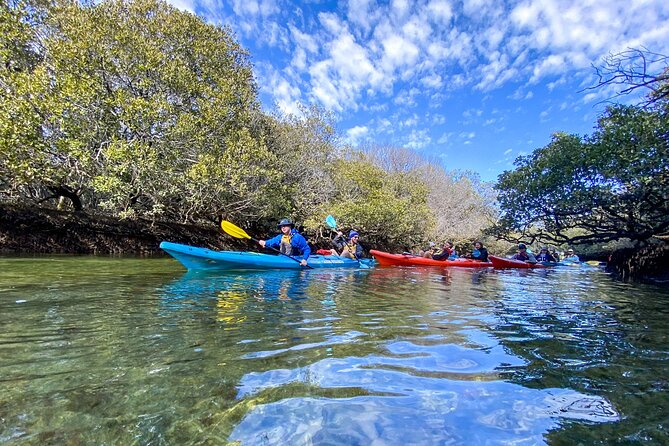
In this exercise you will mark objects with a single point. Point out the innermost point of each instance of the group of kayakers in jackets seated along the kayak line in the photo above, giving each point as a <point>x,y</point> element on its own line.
<point>291,242</point>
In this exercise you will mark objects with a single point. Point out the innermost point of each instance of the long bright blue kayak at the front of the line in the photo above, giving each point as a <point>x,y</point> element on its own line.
<point>195,258</point>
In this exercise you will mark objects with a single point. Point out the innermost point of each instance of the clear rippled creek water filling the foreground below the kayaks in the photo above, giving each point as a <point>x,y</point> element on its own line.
<point>136,351</point>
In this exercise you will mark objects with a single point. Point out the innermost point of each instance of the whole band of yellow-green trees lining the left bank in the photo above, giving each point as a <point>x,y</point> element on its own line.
<point>137,109</point>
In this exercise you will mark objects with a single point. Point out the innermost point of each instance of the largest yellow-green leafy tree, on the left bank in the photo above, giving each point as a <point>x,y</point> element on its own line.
<point>139,106</point>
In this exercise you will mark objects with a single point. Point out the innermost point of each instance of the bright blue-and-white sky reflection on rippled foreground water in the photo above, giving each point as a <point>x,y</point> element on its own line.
<point>411,404</point>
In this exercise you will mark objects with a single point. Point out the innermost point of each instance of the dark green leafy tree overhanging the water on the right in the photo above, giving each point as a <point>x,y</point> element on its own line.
<point>611,185</point>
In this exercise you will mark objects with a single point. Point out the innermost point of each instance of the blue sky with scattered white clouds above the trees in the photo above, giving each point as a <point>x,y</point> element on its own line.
<point>471,83</point>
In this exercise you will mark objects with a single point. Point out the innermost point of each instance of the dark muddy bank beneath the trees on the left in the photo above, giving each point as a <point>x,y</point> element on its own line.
<point>34,230</point>
